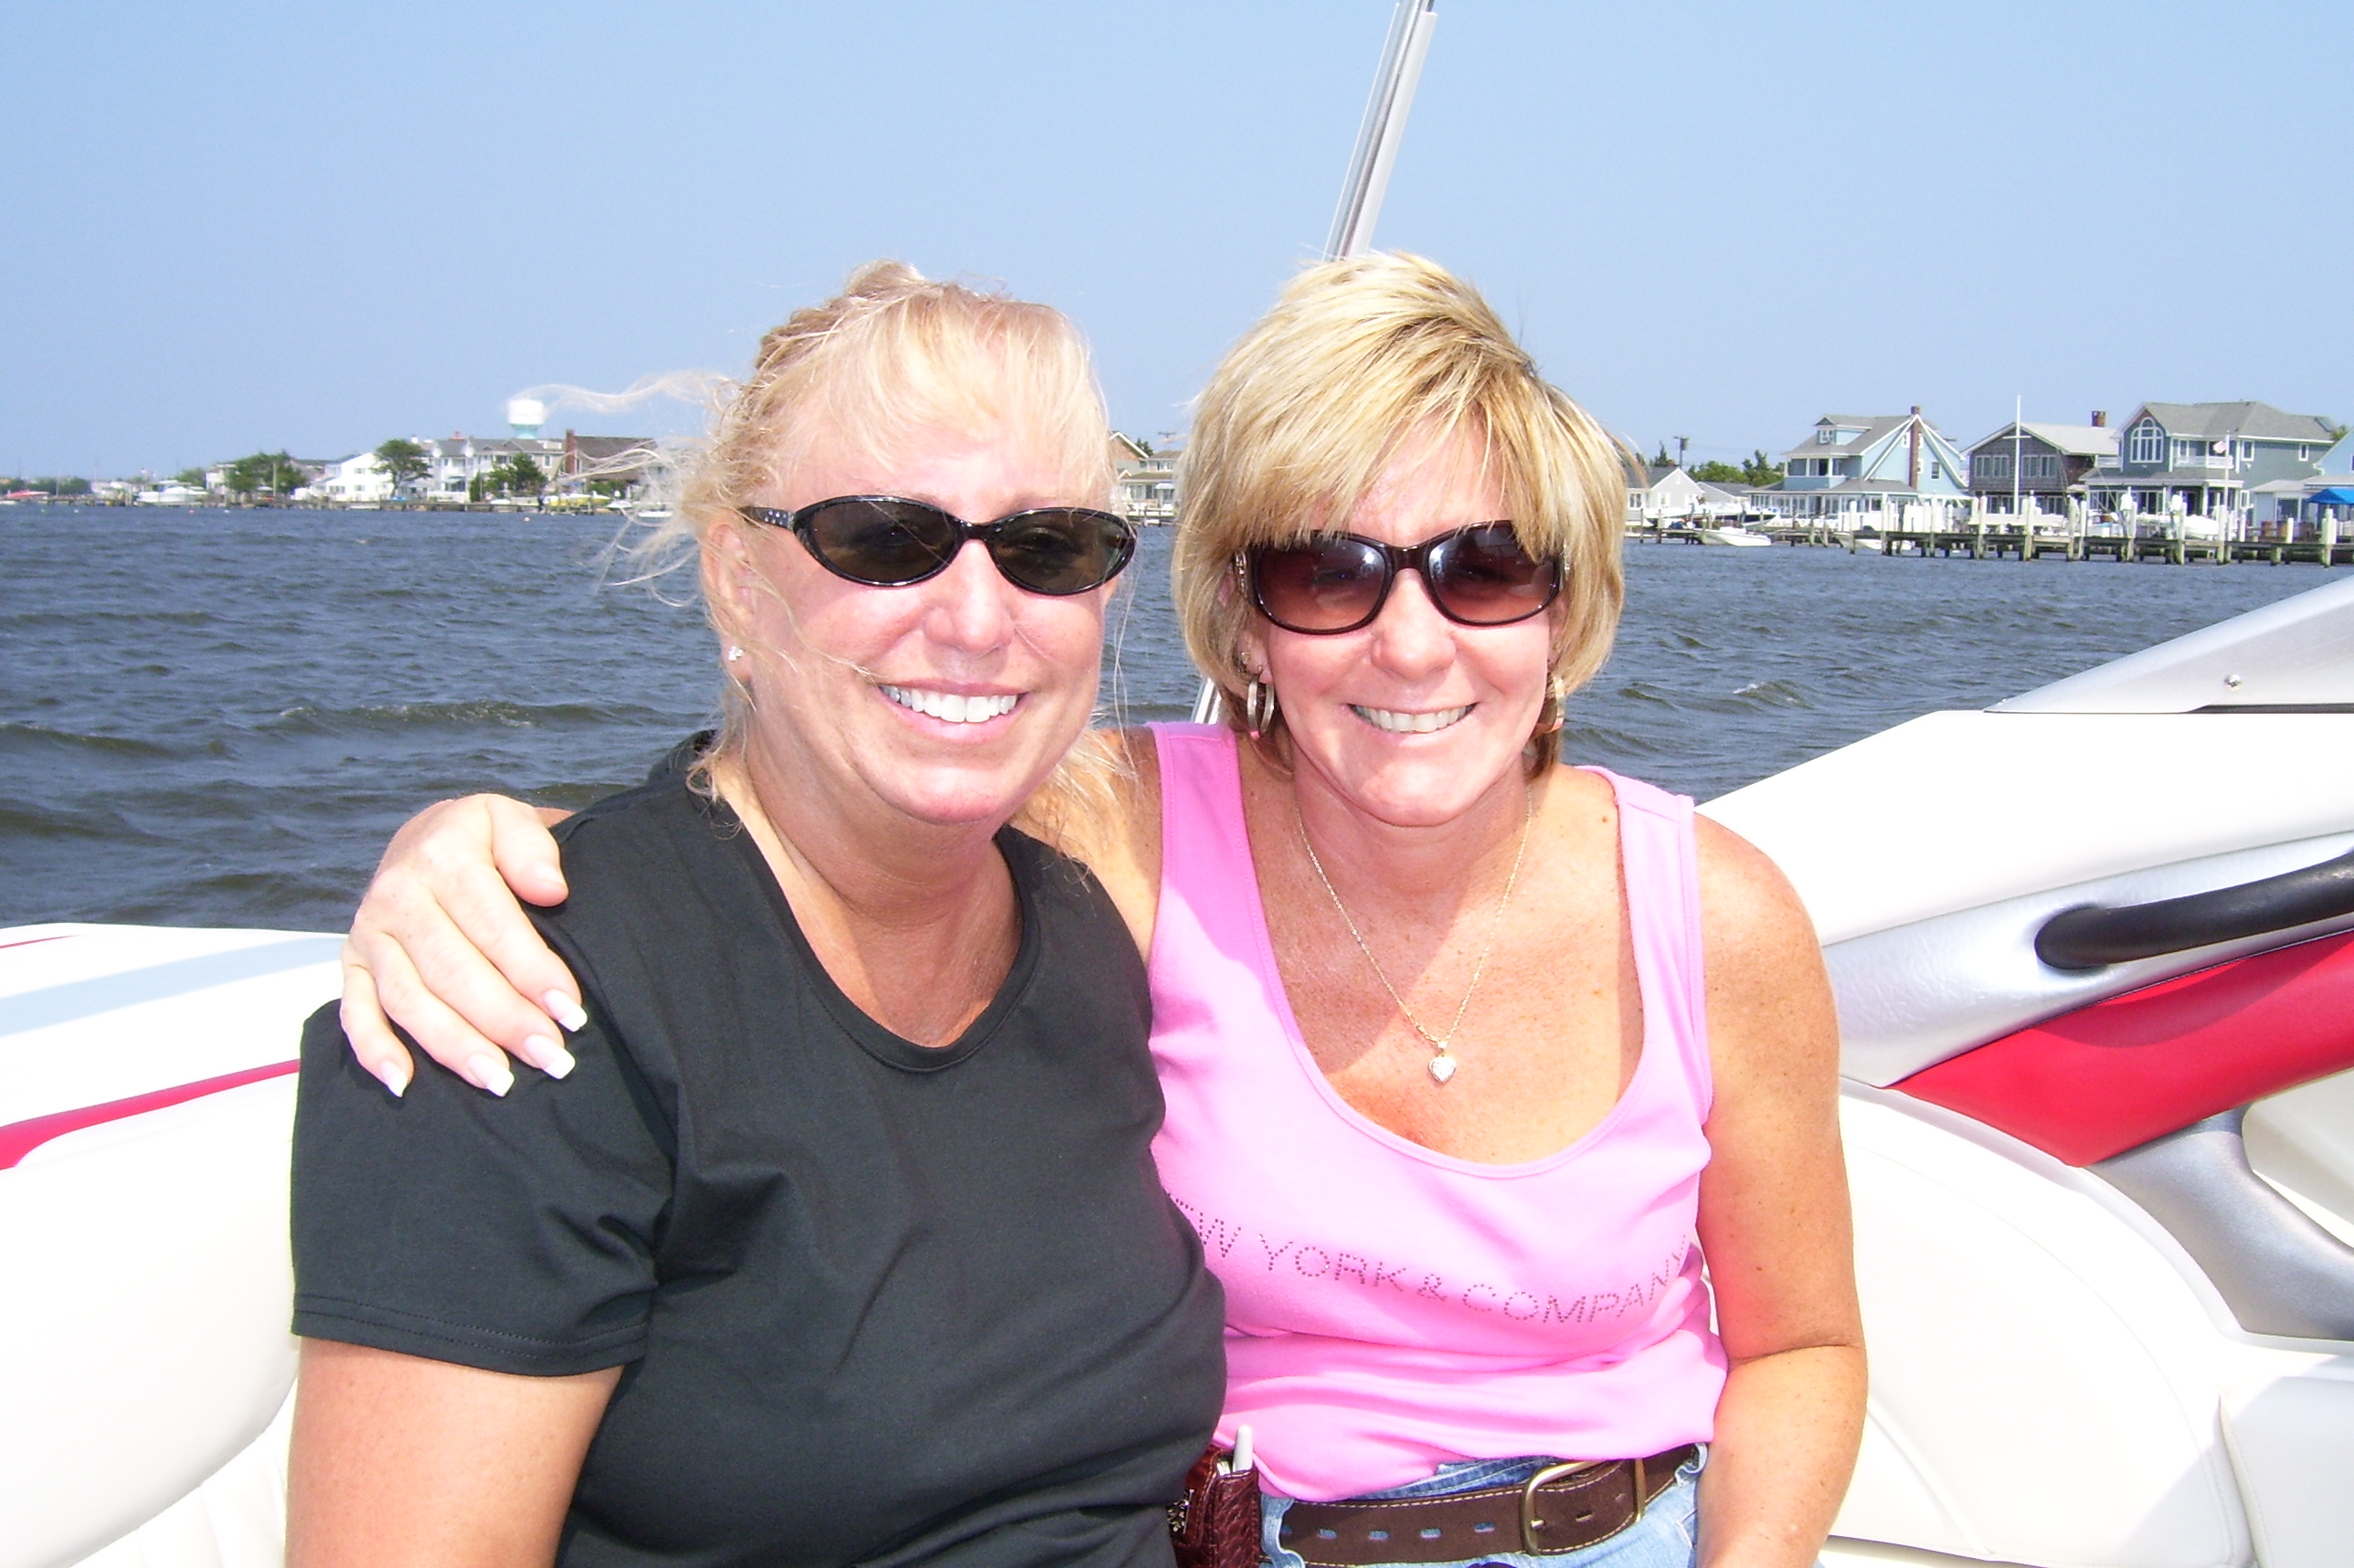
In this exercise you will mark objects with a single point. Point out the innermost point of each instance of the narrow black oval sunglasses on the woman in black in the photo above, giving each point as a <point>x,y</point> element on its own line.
<point>891,543</point>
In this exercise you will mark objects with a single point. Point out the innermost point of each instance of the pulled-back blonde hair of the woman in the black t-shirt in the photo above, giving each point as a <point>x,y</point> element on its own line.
<point>891,357</point>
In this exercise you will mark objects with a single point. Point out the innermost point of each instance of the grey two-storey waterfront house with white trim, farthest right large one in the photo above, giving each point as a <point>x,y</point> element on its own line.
<point>2209,460</point>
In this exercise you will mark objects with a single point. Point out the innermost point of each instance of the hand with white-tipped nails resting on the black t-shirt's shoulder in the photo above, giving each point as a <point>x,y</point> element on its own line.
<point>441,948</point>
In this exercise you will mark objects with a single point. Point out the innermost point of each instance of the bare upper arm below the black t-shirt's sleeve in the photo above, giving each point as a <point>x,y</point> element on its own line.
<point>408,1463</point>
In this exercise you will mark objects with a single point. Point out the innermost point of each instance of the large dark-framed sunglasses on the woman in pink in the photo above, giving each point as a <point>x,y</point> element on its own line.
<point>1338,583</point>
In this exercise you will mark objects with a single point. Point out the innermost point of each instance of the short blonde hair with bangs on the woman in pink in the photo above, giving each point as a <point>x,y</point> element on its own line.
<point>1312,406</point>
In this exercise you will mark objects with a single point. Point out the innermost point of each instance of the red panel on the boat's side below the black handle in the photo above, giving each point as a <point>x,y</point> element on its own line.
<point>2103,1079</point>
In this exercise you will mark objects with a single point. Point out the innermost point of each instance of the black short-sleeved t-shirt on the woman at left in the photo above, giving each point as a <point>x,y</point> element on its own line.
<point>877,1303</point>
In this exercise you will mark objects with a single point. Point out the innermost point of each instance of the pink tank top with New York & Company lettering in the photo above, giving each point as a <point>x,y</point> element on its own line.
<point>1390,1308</point>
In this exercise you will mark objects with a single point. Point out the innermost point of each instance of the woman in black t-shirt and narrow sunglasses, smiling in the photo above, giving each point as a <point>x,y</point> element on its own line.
<point>844,1244</point>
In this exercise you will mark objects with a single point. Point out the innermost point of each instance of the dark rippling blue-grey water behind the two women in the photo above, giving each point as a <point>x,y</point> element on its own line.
<point>220,717</point>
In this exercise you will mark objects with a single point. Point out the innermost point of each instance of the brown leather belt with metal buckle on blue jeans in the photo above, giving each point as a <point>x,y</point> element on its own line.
<point>1557,1510</point>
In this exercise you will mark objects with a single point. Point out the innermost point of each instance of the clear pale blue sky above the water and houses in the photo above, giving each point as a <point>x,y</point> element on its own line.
<point>237,227</point>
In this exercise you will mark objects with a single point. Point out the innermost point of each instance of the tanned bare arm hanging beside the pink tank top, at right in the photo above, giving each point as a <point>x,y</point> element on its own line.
<point>1774,1225</point>
